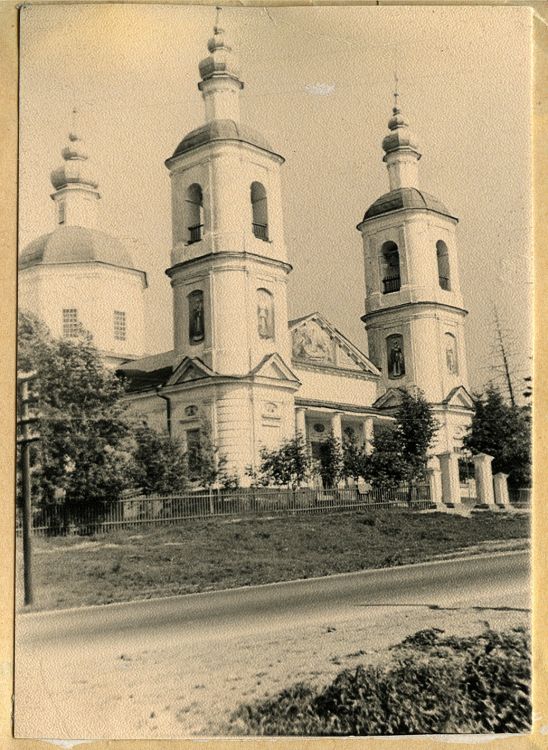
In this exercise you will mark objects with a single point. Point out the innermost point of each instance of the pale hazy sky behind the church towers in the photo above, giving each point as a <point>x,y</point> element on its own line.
<point>318,85</point>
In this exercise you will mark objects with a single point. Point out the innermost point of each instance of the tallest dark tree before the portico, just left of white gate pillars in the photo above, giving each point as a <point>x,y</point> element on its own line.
<point>400,452</point>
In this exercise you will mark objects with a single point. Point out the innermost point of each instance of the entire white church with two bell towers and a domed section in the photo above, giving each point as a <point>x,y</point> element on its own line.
<point>238,364</point>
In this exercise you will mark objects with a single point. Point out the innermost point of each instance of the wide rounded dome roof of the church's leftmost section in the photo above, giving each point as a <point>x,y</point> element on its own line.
<point>74,244</point>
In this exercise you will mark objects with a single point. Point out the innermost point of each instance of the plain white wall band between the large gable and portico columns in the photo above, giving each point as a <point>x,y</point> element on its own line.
<point>335,389</point>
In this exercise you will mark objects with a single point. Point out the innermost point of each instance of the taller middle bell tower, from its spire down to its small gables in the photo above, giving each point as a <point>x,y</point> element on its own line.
<point>228,260</point>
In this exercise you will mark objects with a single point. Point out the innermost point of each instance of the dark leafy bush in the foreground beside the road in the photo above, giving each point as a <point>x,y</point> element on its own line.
<point>432,685</point>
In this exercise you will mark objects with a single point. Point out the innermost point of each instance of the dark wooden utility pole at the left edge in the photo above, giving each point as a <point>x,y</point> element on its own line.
<point>24,440</point>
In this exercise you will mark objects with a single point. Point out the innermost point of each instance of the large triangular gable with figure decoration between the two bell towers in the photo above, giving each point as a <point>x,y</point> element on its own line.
<point>316,341</point>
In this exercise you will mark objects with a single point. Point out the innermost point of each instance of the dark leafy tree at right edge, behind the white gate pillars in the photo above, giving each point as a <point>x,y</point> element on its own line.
<point>504,432</point>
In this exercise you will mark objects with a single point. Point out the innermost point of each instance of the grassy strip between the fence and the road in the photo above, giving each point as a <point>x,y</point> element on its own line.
<point>203,555</point>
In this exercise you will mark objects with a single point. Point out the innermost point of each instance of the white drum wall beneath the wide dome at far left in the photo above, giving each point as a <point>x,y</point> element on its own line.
<point>96,291</point>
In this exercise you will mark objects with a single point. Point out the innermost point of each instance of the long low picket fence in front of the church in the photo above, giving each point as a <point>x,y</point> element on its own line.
<point>55,520</point>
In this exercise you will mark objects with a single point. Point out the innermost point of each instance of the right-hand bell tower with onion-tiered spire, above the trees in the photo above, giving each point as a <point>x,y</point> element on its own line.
<point>414,314</point>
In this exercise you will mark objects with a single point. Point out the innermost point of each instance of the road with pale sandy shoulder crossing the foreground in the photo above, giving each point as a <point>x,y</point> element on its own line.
<point>165,667</point>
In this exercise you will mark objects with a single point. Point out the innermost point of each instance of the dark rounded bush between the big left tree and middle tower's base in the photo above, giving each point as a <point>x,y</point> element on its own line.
<point>160,462</point>
